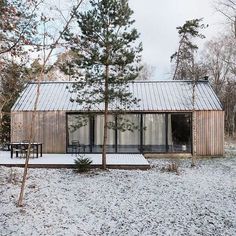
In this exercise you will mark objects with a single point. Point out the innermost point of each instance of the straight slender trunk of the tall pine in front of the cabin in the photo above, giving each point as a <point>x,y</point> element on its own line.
<point>105,119</point>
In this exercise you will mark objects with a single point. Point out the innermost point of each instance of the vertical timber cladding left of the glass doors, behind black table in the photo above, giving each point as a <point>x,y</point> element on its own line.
<point>49,128</point>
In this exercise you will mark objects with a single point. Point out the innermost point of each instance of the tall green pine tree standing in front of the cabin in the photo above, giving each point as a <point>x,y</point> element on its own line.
<point>109,56</point>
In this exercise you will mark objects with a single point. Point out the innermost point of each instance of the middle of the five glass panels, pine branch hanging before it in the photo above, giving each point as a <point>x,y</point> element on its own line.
<point>128,134</point>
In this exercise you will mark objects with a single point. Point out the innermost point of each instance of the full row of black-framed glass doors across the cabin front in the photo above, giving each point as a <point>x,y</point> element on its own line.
<point>131,133</point>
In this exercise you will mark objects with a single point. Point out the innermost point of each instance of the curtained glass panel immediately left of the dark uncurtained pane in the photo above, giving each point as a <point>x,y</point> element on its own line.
<point>154,136</point>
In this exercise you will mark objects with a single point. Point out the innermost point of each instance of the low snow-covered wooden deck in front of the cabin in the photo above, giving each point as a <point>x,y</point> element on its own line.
<point>114,161</point>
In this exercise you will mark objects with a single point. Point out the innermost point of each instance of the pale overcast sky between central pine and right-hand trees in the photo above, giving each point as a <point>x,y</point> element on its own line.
<point>157,20</point>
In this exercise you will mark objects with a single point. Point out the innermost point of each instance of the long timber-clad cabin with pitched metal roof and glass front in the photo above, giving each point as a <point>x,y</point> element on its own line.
<point>163,118</point>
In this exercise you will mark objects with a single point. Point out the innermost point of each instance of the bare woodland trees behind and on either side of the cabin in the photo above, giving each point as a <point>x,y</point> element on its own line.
<point>27,33</point>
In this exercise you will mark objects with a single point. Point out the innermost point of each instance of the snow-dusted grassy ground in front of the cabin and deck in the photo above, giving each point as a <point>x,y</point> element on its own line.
<point>198,201</point>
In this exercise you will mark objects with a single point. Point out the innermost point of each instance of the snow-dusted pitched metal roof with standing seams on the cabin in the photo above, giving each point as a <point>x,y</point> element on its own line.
<point>155,96</point>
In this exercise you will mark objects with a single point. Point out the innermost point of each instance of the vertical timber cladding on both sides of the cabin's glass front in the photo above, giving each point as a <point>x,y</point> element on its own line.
<point>50,129</point>
